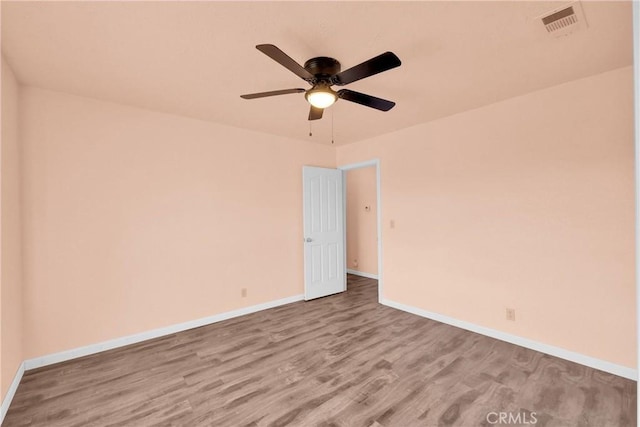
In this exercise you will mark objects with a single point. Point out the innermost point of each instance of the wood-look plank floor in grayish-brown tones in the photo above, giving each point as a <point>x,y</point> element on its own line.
<point>343,360</point>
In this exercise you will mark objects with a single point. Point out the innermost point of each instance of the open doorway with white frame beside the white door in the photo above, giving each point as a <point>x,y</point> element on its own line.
<point>362,219</point>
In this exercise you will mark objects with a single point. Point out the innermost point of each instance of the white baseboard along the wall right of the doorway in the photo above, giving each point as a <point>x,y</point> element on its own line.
<point>589,361</point>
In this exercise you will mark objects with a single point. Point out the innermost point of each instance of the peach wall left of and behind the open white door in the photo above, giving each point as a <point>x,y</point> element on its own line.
<point>135,220</point>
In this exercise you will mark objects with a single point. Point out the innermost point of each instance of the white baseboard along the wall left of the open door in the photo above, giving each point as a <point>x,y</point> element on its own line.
<point>63,356</point>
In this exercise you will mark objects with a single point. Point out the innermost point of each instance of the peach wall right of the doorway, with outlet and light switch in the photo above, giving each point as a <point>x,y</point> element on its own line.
<point>526,203</point>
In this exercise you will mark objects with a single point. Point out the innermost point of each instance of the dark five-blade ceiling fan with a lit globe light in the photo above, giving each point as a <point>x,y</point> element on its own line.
<point>323,72</point>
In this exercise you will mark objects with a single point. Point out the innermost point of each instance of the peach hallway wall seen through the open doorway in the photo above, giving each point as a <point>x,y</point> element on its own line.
<point>362,250</point>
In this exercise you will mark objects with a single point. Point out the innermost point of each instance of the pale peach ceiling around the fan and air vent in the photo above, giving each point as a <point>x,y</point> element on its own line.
<point>196,58</point>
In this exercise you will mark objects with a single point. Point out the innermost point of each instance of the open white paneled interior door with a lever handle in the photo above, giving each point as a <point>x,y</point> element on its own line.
<point>324,271</point>
